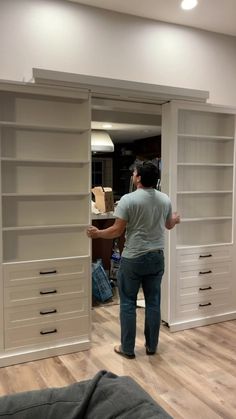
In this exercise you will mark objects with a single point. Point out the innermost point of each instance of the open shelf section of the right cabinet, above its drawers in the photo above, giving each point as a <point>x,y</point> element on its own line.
<point>205,168</point>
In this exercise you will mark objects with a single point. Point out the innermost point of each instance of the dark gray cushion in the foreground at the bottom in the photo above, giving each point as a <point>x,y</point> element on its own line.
<point>106,396</point>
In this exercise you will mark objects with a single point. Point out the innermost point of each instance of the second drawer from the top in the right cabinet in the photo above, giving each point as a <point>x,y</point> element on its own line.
<point>190,276</point>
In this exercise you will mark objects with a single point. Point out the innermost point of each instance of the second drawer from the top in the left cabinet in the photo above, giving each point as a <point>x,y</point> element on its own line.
<point>45,292</point>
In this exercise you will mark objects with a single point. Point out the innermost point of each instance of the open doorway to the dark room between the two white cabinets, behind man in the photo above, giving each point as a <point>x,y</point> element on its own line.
<point>136,136</point>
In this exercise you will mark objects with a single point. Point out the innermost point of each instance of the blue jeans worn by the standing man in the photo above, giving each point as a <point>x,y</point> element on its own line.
<point>146,271</point>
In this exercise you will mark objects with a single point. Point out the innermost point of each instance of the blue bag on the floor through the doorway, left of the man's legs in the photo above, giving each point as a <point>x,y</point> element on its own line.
<point>101,287</point>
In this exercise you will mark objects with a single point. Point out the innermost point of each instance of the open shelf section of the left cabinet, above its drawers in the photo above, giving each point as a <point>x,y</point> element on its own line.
<point>45,178</point>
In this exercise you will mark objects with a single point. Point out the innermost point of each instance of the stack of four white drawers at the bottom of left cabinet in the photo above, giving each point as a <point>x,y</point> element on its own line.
<point>45,302</point>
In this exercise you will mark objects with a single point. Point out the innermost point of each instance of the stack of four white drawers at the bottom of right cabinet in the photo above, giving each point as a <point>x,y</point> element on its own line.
<point>204,282</point>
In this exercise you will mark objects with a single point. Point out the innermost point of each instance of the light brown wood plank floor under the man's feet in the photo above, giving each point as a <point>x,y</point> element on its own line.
<point>193,376</point>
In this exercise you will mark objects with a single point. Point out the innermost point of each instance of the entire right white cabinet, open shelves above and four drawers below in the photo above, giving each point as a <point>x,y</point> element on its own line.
<point>198,150</point>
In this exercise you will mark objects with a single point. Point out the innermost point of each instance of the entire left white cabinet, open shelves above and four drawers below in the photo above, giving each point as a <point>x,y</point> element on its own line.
<point>45,195</point>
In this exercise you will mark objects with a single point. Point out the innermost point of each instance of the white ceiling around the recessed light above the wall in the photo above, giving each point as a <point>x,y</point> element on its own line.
<point>211,15</point>
